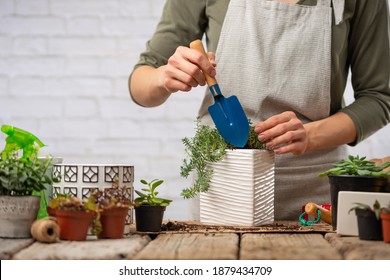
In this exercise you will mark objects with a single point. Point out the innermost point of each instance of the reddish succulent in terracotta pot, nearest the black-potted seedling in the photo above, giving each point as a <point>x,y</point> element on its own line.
<point>113,206</point>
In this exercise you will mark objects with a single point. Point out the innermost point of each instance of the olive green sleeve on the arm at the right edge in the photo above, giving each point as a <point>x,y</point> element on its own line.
<point>369,56</point>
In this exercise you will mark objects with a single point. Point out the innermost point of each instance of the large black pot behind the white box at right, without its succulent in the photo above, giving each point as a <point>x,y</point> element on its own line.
<point>354,183</point>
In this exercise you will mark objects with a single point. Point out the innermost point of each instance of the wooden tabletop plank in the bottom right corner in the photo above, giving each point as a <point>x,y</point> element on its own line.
<point>352,248</point>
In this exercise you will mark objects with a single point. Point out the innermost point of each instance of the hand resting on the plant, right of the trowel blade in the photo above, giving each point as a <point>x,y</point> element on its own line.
<point>284,133</point>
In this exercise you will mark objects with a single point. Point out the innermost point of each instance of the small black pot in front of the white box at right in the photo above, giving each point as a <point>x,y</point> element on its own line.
<point>369,227</point>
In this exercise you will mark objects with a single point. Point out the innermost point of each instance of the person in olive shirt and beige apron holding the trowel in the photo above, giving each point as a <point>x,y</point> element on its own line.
<point>288,62</point>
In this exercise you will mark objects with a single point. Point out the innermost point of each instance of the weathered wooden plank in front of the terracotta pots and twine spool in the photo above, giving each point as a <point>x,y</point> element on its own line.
<point>105,249</point>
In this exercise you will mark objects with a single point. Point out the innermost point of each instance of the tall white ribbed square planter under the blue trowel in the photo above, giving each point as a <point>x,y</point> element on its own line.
<point>241,191</point>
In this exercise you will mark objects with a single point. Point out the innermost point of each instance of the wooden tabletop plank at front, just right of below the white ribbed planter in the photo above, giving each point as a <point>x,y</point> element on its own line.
<point>286,247</point>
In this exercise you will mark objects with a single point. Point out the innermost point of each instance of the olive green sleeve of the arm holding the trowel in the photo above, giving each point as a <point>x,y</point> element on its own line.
<point>182,21</point>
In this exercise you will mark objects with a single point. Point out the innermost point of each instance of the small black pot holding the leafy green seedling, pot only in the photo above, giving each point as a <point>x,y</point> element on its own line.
<point>149,218</point>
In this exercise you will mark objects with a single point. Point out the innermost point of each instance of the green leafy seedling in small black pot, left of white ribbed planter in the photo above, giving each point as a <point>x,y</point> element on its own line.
<point>149,208</point>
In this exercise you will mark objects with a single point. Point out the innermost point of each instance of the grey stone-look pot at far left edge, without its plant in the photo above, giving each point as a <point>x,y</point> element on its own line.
<point>17,213</point>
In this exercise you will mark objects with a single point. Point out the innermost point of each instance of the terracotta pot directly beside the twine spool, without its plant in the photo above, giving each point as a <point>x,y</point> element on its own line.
<point>73,224</point>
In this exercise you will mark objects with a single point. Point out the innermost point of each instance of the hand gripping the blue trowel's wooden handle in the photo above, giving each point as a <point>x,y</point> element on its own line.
<point>185,69</point>
